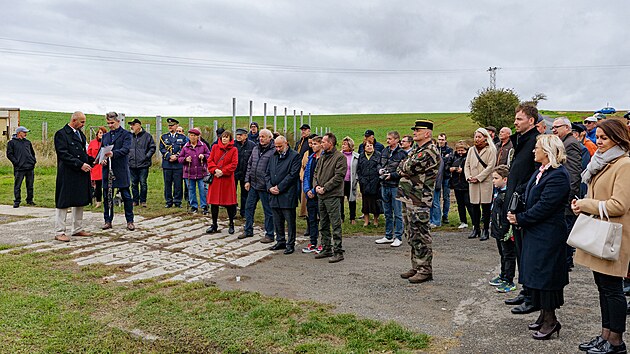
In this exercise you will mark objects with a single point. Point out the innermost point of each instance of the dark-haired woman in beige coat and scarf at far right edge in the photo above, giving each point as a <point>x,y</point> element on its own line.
<point>607,176</point>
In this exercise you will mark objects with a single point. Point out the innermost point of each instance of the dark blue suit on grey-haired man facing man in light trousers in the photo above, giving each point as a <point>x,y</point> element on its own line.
<point>121,140</point>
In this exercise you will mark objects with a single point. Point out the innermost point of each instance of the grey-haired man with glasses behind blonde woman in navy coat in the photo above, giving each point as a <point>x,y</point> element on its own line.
<point>562,128</point>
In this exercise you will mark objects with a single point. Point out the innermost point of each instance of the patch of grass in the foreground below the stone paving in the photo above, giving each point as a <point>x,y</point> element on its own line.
<point>48,304</point>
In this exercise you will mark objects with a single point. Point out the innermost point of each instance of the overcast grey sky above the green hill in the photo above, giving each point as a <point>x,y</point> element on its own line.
<point>191,57</point>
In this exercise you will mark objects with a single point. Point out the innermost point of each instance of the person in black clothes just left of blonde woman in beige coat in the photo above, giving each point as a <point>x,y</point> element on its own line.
<point>458,182</point>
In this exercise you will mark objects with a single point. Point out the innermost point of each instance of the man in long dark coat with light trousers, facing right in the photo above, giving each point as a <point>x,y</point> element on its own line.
<point>72,189</point>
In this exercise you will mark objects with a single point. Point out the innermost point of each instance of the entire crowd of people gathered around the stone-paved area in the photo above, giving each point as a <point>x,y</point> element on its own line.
<point>524,189</point>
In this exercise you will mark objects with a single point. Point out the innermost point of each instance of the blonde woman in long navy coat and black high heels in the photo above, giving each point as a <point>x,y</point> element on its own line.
<point>544,268</point>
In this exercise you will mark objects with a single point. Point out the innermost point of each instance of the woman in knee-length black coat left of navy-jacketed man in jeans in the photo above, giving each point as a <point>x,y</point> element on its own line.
<point>367,171</point>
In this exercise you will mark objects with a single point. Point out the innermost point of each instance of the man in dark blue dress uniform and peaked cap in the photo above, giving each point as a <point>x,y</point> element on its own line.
<point>171,144</point>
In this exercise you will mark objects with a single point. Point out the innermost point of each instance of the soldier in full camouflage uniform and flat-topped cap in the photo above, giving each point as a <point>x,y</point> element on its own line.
<point>418,174</point>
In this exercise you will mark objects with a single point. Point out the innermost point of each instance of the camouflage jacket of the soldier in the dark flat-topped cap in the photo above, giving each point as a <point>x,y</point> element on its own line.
<point>418,174</point>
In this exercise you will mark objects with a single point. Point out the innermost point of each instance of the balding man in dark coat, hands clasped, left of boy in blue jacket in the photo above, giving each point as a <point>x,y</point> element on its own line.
<point>281,178</point>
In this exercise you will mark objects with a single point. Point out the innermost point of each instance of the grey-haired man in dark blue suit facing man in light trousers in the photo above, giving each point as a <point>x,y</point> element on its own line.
<point>116,171</point>
